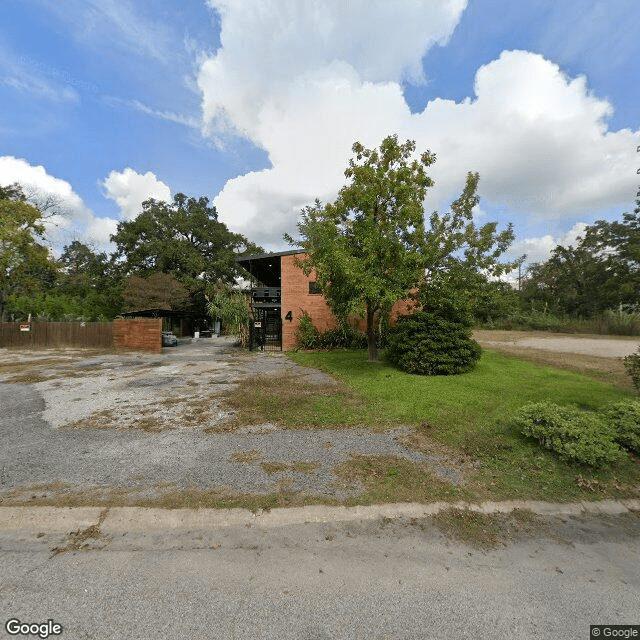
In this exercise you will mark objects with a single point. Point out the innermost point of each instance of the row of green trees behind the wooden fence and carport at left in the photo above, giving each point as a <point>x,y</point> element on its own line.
<point>171,256</point>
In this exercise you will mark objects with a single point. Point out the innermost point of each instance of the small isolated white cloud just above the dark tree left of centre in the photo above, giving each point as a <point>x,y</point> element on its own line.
<point>129,189</point>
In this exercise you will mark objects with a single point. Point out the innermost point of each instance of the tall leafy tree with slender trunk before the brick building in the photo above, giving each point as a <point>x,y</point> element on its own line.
<point>366,247</point>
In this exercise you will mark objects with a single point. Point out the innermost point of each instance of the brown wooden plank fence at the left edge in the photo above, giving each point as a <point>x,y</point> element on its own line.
<point>57,334</point>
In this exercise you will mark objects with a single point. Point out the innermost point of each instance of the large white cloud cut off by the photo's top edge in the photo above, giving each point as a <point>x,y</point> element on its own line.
<point>268,44</point>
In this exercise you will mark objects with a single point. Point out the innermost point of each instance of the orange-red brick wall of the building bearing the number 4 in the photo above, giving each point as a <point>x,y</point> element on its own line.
<point>296,298</point>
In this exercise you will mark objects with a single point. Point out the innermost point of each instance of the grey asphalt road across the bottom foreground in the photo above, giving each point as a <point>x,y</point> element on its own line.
<point>380,579</point>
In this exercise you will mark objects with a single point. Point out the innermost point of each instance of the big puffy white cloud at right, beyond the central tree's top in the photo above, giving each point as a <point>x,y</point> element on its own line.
<point>538,139</point>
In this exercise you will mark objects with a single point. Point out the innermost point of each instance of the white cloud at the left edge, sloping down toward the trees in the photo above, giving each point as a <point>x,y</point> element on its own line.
<point>72,218</point>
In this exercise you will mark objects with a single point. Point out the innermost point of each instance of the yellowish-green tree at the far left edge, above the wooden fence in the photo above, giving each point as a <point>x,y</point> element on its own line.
<point>25,264</point>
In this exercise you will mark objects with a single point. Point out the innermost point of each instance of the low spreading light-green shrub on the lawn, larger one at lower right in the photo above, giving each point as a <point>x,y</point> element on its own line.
<point>575,435</point>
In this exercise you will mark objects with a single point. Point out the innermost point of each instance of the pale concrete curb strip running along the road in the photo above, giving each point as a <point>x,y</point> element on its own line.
<point>137,519</point>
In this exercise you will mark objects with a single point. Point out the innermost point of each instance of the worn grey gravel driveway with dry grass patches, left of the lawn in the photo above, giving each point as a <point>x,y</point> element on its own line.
<point>141,425</point>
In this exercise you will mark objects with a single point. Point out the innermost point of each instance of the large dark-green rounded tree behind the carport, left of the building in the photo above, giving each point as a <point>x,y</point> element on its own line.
<point>184,239</point>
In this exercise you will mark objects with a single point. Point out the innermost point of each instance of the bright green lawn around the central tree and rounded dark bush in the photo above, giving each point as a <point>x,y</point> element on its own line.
<point>455,405</point>
